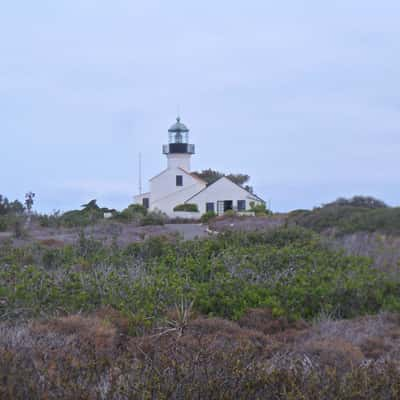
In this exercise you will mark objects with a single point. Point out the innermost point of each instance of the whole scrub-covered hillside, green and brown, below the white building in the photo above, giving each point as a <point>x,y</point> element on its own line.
<point>272,307</point>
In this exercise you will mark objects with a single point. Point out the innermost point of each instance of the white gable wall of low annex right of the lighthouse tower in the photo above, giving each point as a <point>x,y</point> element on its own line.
<point>222,190</point>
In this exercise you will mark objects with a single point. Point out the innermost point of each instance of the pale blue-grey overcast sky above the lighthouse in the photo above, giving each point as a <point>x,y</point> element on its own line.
<point>301,95</point>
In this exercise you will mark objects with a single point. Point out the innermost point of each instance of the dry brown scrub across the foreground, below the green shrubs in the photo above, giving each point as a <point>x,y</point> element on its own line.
<point>81,357</point>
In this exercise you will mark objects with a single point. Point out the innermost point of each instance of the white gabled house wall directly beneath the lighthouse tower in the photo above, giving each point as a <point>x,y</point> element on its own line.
<point>165,195</point>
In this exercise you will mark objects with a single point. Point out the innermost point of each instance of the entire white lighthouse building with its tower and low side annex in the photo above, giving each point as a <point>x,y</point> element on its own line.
<point>176,185</point>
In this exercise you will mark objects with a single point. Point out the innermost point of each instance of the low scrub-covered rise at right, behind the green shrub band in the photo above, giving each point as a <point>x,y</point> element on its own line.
<point>361,226</point>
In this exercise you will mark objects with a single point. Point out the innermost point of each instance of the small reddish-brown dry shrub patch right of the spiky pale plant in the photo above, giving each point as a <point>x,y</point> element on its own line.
<point>261,319</point>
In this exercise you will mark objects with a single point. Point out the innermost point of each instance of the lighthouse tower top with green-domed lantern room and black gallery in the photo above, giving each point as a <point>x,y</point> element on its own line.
<point>178,151</point>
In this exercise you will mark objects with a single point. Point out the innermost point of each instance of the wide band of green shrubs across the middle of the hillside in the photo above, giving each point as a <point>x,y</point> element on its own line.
<point>288,270</point>
